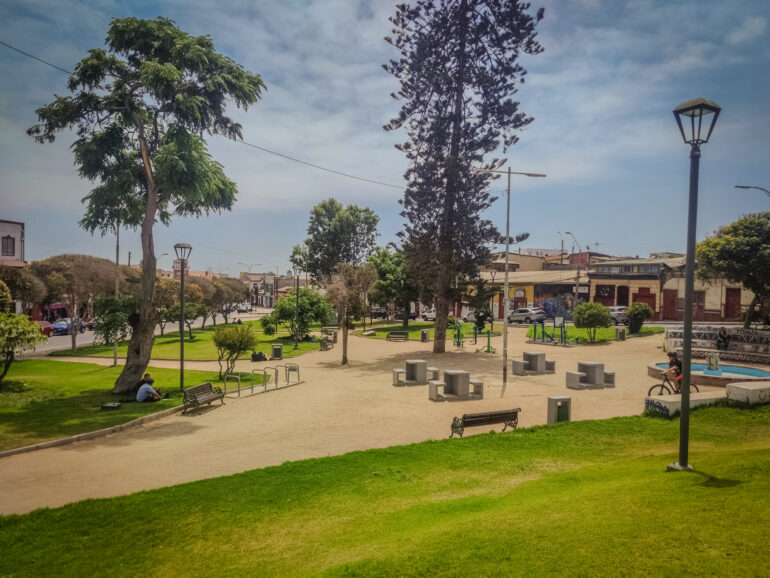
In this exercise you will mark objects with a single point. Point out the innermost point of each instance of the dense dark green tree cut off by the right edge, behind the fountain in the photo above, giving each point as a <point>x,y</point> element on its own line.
<point>740,253</point>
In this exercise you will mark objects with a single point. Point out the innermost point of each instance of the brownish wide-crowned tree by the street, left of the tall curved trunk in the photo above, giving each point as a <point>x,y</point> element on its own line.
<point>81,278</point>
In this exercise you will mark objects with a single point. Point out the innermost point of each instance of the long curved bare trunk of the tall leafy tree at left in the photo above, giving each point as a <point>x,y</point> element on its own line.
<point>143,334</point>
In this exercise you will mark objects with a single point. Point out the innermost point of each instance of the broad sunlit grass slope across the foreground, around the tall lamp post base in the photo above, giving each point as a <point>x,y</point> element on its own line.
<point>587,498</point>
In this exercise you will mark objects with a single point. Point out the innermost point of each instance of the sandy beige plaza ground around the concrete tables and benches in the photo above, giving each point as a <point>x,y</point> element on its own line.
<point>335,410</point>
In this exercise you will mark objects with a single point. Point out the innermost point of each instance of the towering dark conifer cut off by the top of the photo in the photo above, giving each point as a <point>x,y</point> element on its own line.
<point>459,70</point>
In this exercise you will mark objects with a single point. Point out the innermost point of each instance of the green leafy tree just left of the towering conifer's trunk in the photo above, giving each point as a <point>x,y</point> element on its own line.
<point>395,285</point>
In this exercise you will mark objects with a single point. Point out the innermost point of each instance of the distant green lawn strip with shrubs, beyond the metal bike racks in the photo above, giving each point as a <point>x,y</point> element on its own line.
<point>201,348</point>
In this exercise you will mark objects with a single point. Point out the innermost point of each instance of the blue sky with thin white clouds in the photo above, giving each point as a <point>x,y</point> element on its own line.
<point>601,95</point>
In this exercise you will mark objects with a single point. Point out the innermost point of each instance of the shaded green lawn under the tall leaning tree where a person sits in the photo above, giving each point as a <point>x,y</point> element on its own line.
<point>47,400</point>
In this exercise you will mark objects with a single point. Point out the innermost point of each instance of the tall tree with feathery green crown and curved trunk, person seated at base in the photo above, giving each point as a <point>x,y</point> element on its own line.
<point>140,109</point>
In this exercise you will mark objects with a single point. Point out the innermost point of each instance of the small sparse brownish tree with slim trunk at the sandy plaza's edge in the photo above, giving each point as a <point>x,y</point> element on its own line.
<point>347,290</point>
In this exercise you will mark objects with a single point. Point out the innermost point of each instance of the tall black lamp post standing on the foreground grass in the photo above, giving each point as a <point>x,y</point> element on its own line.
<point>695,133</point>
